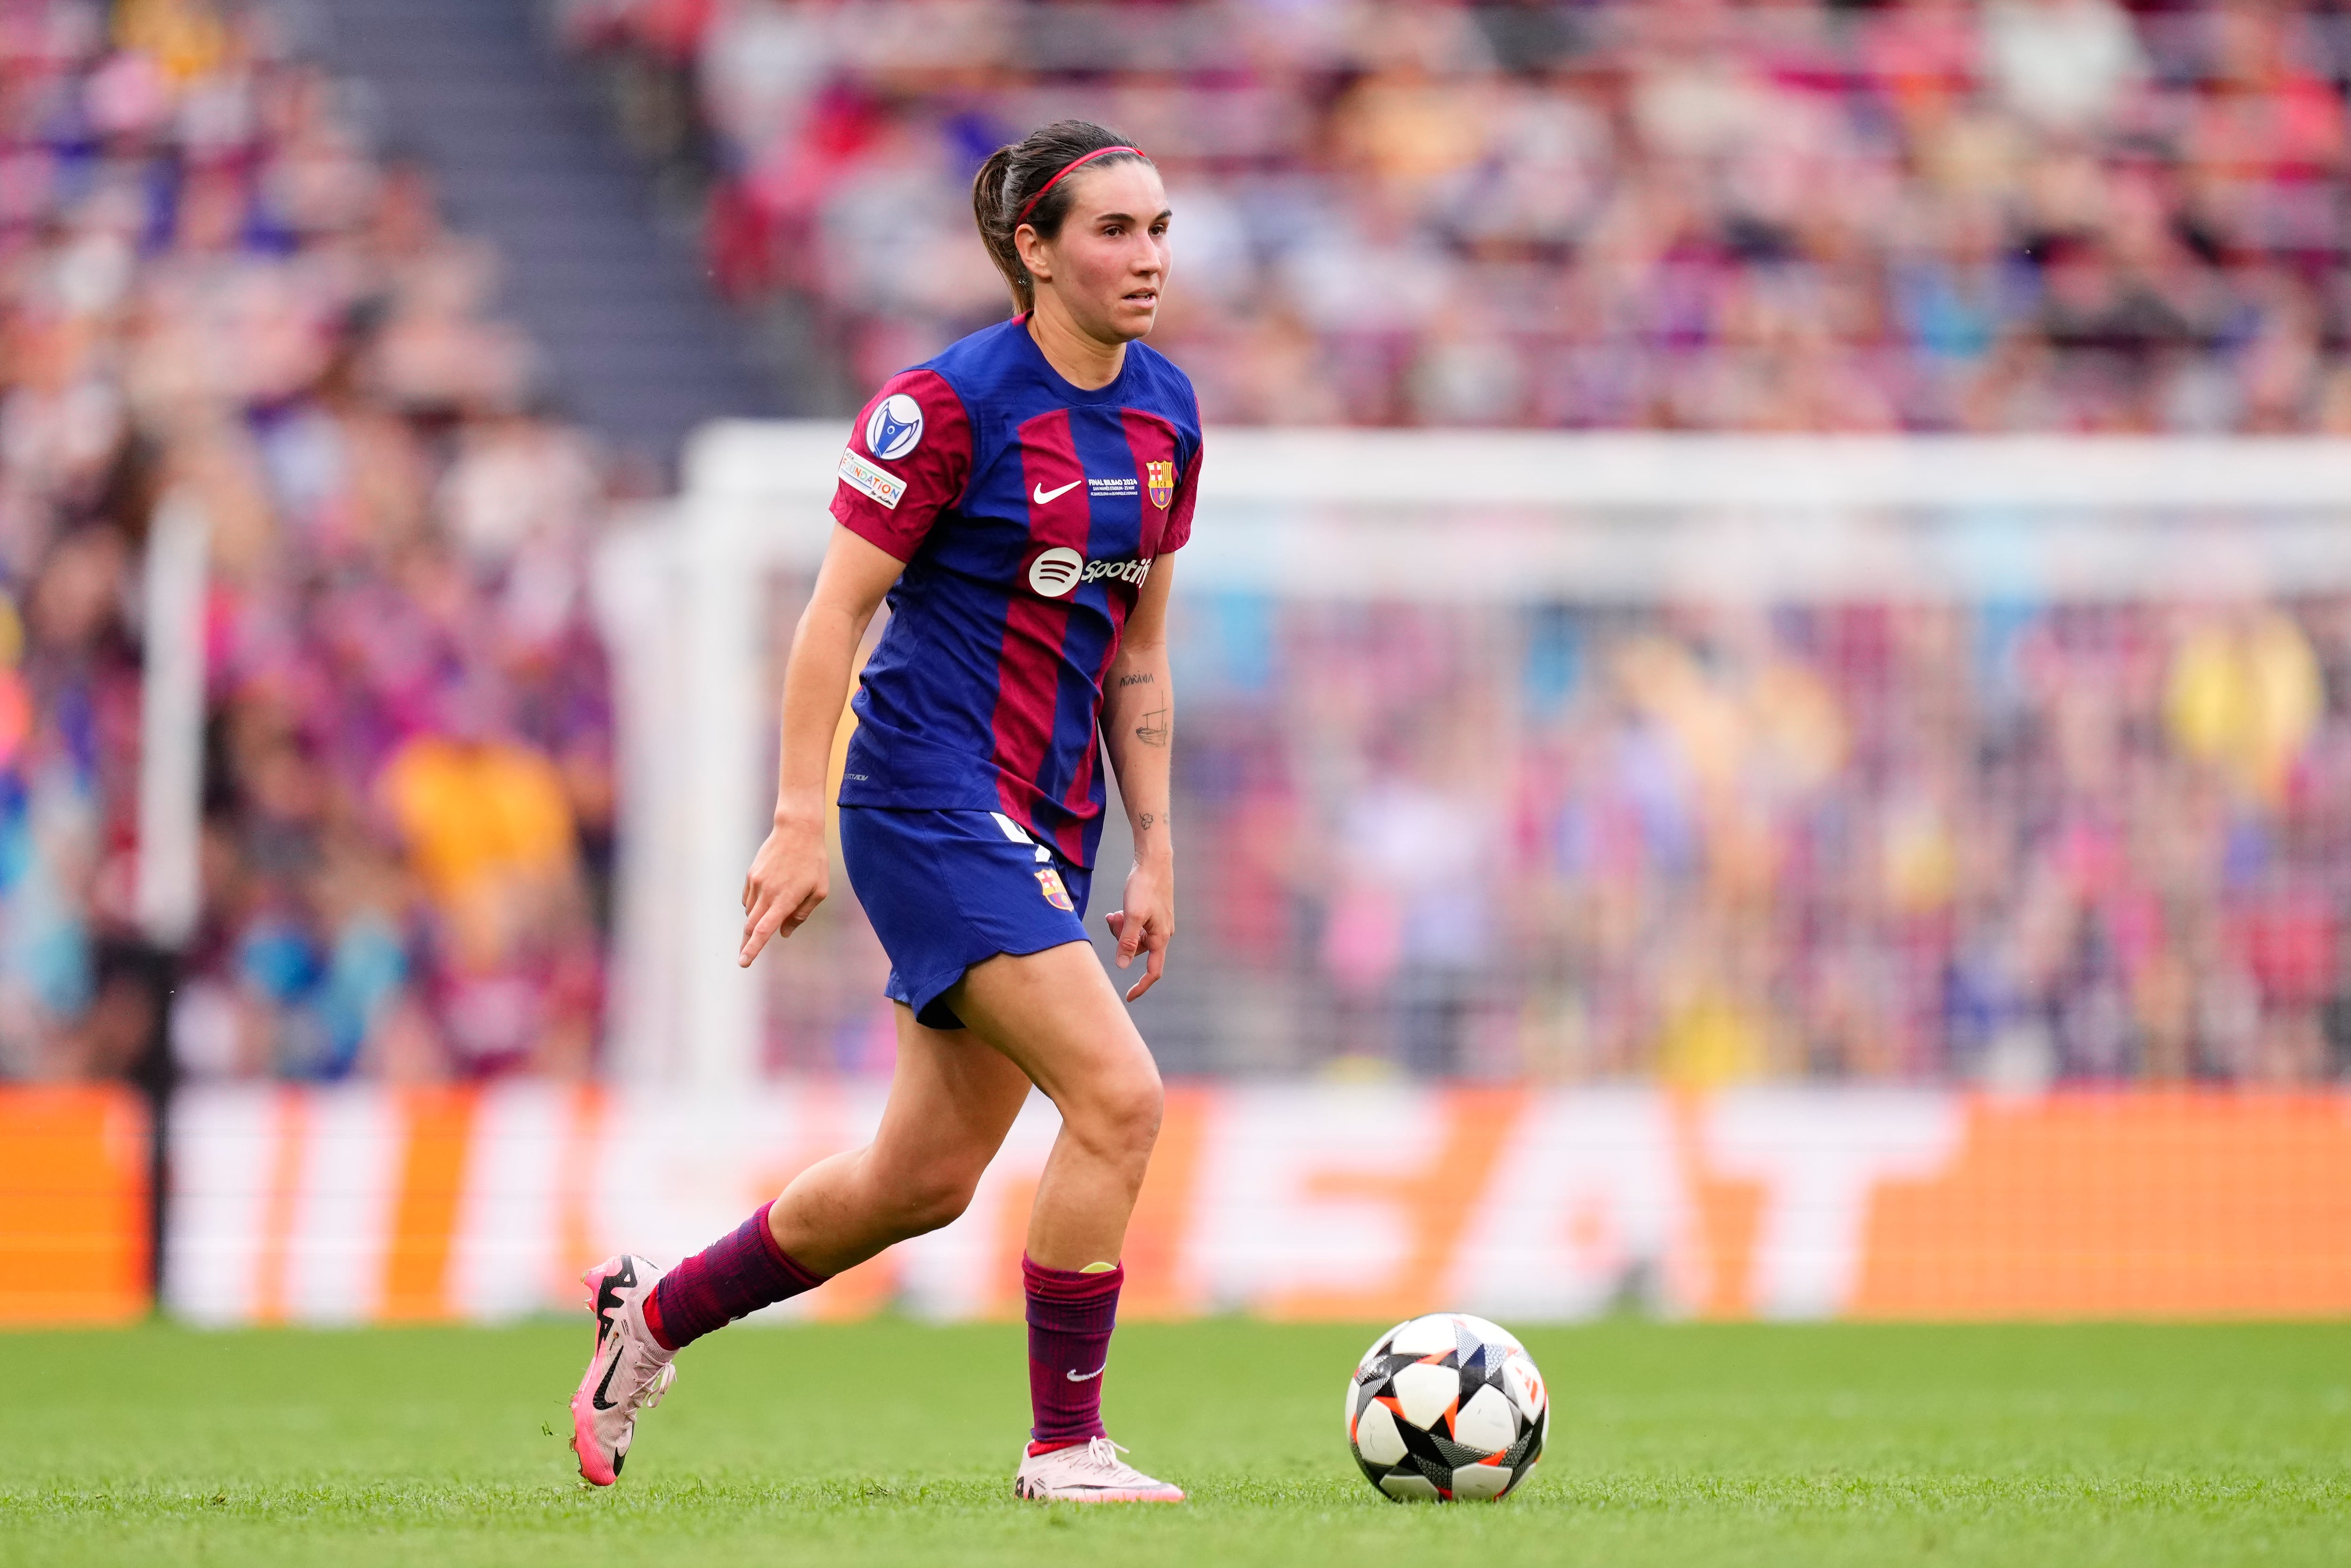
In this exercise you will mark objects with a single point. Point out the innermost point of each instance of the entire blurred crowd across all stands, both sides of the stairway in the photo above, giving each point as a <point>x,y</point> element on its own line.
<point>2000,843</point>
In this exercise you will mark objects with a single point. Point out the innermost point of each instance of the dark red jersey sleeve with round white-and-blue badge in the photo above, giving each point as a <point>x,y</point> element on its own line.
<point>906,462</point>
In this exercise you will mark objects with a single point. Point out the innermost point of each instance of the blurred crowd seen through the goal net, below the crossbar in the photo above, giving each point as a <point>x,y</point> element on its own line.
<point>2002,845</point>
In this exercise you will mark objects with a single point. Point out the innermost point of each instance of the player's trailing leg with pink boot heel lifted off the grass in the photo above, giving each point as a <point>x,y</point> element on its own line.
<point>949,1111</point>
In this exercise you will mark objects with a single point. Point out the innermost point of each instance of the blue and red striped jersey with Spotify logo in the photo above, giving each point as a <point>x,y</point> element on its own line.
<point>1029,514</point>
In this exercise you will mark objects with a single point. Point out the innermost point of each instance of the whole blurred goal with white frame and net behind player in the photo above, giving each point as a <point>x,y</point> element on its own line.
<point>1619,758</point>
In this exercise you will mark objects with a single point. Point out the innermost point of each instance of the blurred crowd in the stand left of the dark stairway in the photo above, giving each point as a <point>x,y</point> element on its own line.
<point>217,293</point>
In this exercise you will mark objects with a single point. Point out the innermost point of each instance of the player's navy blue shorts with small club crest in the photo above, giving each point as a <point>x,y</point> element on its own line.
<point>946,890</point>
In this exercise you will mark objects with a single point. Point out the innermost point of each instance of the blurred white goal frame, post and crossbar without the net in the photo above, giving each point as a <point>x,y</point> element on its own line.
<point>1407,516</point>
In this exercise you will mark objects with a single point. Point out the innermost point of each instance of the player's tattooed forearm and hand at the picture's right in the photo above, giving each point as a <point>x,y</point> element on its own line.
<point>1139,728</point>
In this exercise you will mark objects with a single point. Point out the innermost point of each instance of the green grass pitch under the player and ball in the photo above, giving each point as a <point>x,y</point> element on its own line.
<point>895,1445</point>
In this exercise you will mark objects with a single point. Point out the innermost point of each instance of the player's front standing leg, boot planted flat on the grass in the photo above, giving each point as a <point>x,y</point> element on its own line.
<point>1064,1024</point>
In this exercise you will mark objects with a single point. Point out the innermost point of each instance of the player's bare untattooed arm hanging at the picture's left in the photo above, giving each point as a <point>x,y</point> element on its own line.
<point>791,873</point>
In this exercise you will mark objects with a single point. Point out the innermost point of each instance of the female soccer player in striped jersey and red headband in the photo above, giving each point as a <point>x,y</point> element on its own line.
<point>1014,500</point>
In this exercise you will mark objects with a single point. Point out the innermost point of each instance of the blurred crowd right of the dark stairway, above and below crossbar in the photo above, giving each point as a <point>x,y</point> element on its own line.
<point>2016,845</point>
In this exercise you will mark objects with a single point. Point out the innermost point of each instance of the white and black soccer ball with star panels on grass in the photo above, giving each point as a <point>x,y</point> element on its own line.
<point>1447,1409</point>
